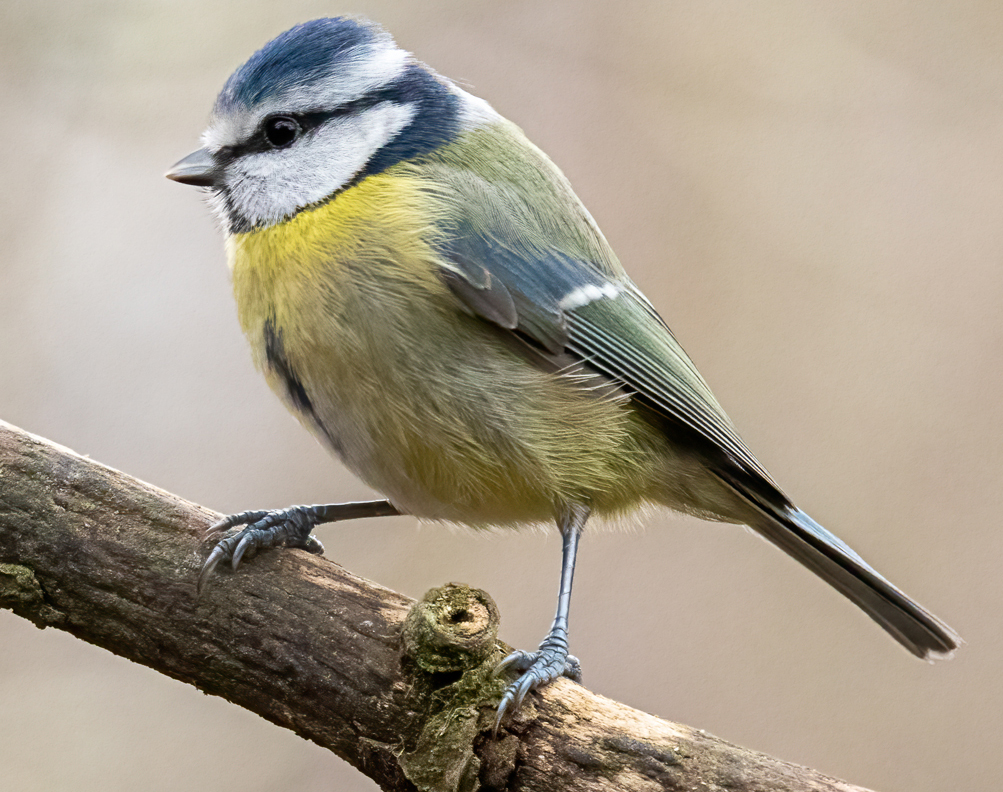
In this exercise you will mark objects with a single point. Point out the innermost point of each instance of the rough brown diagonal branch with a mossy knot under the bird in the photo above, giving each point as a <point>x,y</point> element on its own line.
<point>403,691</point>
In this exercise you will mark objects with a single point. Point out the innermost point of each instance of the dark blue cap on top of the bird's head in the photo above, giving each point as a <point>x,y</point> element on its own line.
<point>301,56</point>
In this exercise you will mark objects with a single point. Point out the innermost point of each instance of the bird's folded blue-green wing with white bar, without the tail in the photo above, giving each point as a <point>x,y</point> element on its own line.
<point>559,286</point>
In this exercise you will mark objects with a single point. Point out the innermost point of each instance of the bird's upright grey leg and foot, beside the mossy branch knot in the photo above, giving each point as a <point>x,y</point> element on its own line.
<point>552,659</point>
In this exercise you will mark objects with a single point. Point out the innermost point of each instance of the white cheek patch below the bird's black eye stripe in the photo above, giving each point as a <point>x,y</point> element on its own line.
<point>269,187</point>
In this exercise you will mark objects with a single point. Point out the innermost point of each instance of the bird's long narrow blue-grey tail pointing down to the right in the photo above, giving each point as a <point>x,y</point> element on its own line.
<point>827,556</point>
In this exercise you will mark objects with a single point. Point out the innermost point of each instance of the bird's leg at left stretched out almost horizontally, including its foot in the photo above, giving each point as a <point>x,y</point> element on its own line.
<point>287,528</point>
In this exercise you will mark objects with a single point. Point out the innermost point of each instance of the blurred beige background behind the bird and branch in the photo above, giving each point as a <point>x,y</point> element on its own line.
<point>811,194</point>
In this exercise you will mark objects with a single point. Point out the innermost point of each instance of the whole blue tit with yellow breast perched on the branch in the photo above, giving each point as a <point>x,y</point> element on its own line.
<point>425,291</point>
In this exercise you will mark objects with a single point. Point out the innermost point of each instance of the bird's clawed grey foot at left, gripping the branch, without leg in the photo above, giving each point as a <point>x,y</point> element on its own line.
<point>288,528</point>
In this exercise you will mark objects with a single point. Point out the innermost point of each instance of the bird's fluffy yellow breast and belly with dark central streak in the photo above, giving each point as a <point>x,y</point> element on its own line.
<point>432,407</point>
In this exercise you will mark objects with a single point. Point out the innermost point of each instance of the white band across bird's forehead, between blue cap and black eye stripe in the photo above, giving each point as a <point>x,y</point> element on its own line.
<point>363,70</point>
